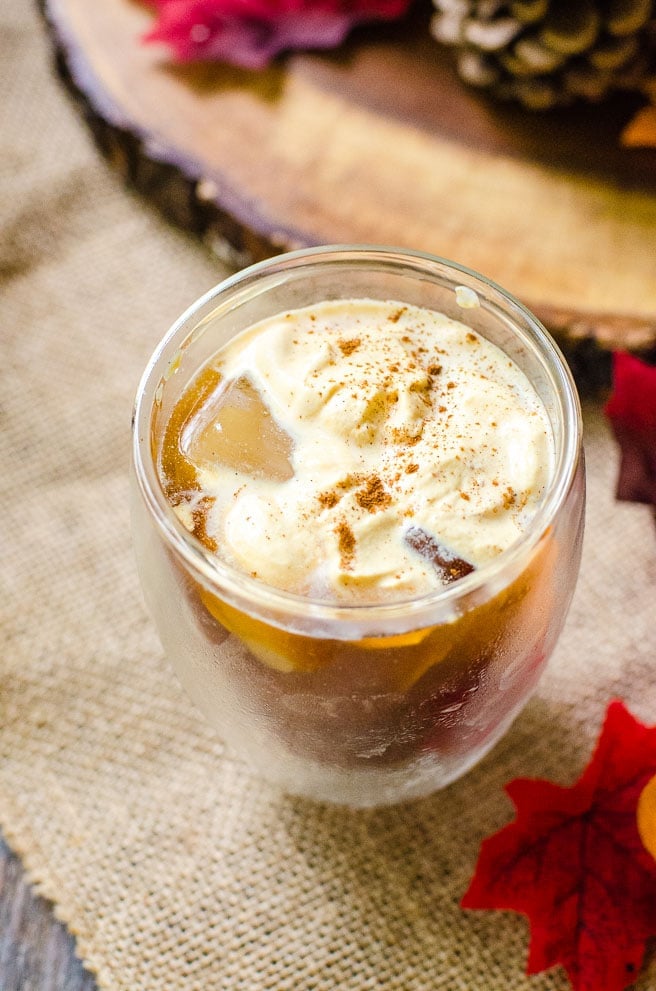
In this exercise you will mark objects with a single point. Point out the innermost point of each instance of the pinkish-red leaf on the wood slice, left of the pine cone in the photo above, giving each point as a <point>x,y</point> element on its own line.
<point>250,33</point>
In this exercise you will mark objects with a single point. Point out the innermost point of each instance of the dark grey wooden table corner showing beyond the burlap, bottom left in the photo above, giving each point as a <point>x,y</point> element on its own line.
<point>36,952</point>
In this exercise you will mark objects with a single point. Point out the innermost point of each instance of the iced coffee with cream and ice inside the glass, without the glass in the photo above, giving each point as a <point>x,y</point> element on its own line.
<point>360,452</point>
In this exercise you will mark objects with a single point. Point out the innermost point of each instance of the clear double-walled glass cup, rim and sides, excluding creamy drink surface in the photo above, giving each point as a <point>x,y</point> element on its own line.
<point>358,704</point>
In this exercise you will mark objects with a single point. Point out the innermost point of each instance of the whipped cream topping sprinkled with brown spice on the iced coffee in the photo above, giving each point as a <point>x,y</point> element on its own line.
<point>408,437</point>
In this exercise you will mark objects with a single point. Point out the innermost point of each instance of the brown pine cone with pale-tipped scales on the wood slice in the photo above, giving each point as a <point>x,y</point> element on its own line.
<point>547,53</point>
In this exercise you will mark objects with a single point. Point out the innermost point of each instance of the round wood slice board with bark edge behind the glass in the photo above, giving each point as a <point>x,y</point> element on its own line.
<point>380,142</point>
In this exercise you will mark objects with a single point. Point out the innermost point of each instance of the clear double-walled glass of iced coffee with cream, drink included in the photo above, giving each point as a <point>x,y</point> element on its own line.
<point>358,515</point>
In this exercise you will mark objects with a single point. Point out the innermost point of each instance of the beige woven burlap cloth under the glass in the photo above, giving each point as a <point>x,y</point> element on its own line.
<point>174,867</point>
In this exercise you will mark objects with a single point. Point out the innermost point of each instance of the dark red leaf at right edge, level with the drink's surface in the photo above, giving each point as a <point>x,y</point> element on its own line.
<point>631,410</point>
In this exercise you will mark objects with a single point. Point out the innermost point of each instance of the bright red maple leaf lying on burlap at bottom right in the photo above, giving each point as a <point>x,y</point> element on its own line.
<point>573,862</point>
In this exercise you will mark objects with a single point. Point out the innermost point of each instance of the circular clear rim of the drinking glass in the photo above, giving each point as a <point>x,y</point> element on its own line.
<point>263,600</point>
